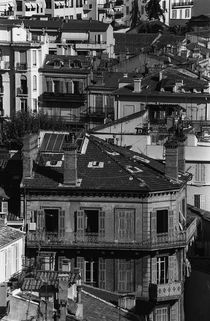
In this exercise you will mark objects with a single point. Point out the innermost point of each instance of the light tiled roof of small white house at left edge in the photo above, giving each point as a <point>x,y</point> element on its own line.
<point>9,235</point>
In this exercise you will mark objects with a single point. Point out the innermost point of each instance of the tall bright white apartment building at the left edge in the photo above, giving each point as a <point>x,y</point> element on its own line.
<point>21,57</point>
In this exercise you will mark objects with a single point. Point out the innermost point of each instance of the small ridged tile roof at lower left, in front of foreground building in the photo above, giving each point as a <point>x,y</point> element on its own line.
<point>48,277</point>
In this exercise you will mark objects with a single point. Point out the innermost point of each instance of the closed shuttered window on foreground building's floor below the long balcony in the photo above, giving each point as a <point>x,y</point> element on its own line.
<point>125,275</point>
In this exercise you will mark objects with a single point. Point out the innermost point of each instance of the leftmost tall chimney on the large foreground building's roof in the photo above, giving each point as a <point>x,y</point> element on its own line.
<point>29,152</point>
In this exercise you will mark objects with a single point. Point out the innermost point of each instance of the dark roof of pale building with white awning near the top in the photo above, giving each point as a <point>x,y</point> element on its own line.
<point>85,26</point>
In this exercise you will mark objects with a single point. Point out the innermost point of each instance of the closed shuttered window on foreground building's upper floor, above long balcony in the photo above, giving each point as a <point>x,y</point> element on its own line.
<point>125,224</point>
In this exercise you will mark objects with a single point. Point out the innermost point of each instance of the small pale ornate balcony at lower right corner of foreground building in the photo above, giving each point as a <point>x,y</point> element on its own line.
<point>168,291</point>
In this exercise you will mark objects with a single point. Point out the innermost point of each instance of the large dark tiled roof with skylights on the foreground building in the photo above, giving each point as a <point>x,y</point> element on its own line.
<point>122,170</point>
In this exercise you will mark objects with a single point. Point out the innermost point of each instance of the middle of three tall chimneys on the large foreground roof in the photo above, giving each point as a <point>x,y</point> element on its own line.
<point>70,163</point>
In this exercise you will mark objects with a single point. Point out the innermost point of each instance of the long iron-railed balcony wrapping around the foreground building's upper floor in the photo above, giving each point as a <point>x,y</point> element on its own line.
<point>97,241</point>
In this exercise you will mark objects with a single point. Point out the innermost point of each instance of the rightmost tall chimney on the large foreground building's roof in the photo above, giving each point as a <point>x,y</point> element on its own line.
<point>171,158</point>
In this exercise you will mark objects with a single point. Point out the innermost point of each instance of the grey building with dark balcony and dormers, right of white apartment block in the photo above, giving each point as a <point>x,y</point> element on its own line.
<point>64,80</point>
